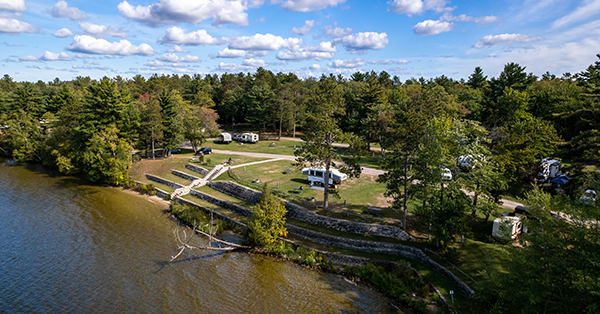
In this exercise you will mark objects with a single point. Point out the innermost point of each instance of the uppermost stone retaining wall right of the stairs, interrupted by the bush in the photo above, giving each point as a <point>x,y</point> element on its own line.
<point>300,213</point>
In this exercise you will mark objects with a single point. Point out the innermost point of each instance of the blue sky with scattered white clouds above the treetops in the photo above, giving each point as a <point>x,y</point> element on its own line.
<point>43,40</point>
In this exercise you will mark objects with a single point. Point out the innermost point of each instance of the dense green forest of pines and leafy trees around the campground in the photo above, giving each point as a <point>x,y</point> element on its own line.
<point>505,124</point>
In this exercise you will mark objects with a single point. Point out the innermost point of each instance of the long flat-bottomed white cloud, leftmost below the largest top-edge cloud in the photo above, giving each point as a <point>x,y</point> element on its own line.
<point>91,45</point>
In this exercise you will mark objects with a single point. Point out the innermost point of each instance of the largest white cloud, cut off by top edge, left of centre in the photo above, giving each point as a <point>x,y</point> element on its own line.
<point>173,12</point>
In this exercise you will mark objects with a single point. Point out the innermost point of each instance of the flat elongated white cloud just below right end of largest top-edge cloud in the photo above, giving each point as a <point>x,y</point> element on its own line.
<point>264,42</point>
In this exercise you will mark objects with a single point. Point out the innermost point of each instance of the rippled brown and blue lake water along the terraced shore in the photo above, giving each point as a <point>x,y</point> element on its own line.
<point>68,246</point>
